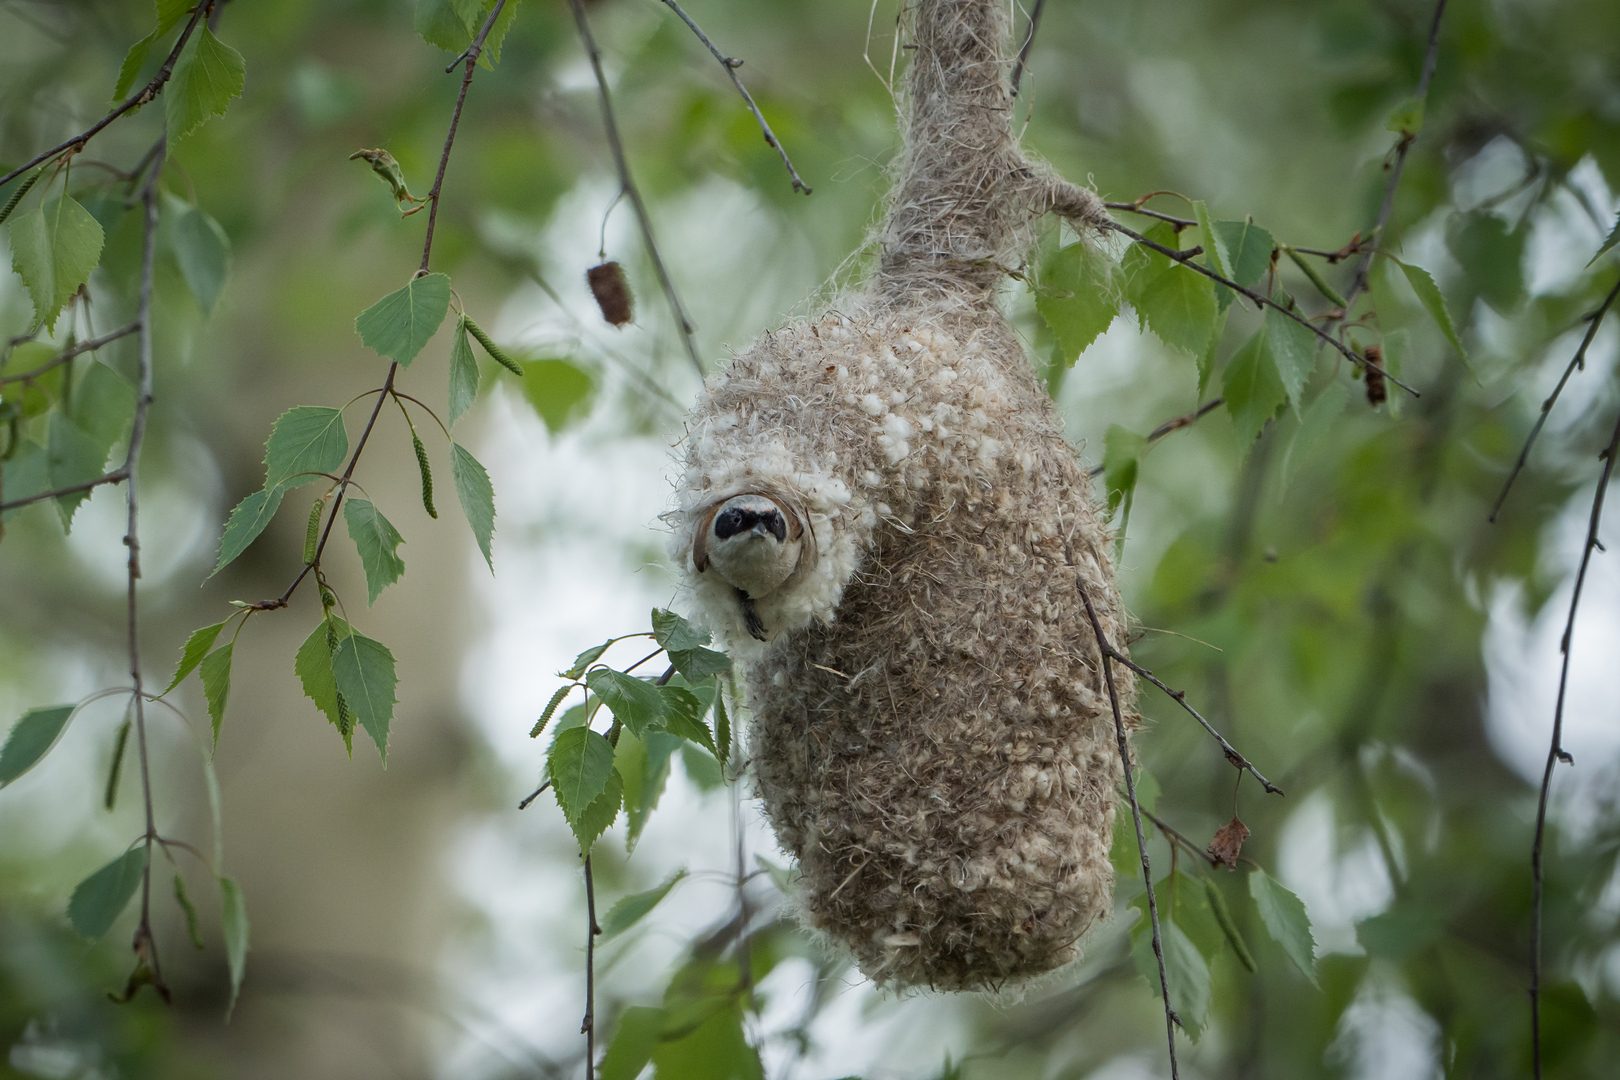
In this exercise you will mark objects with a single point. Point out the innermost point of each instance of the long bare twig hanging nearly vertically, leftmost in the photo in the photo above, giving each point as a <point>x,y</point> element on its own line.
<point>145,945</point>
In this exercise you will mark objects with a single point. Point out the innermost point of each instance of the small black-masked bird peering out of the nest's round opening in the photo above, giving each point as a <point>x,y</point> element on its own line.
<point>754,542</point>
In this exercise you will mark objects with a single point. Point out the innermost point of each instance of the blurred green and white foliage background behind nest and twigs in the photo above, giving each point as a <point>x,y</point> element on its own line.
<point>1332,593</point>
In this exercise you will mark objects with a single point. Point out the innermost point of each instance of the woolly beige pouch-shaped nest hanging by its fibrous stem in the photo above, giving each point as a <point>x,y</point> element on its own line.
<point>932,736</point>
